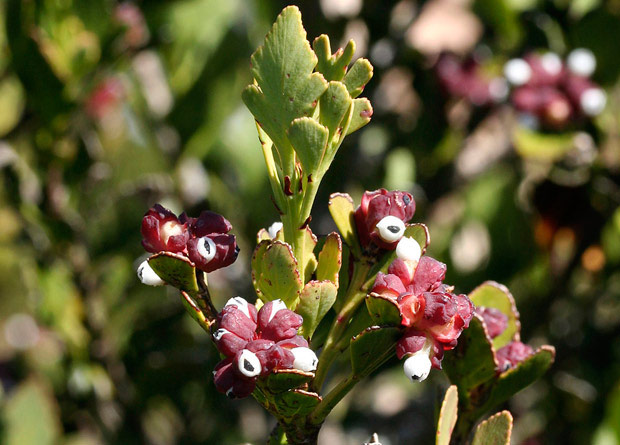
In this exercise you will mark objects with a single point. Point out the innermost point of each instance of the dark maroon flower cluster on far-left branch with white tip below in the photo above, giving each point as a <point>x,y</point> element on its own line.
<point>204,240</point>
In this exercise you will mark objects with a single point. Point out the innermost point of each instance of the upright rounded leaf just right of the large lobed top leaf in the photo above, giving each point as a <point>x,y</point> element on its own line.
<point>334,105</point>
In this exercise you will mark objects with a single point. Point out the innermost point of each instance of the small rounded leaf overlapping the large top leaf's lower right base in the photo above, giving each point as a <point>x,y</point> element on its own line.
<point>309,139</point>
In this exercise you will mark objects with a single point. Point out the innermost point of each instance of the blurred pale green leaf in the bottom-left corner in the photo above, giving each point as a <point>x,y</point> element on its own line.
<point>30,416</point>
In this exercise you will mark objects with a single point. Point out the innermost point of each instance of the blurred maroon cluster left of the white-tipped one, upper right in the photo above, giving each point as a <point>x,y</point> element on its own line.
<point>467,79</point>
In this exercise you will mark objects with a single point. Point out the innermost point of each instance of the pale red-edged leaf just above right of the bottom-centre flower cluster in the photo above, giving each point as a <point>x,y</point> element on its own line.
<point>316,298</point>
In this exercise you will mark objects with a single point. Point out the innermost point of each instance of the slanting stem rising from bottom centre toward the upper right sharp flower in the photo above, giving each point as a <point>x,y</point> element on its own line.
<point>355,295</point>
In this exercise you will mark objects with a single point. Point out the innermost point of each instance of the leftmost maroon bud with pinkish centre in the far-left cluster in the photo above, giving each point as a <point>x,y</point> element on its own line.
<point>162,231</point>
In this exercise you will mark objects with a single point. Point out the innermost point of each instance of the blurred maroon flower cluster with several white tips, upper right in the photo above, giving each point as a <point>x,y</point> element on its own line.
<point>551,92</point>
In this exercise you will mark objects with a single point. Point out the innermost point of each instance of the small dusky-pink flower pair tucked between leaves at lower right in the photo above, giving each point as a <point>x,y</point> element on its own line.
<point>496,323</point>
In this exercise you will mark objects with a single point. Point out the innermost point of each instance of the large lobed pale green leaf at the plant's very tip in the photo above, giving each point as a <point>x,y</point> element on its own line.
<point>285,88</point>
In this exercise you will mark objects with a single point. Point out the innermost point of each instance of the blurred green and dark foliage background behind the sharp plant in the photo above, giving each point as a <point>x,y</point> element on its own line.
<point>109,107</point>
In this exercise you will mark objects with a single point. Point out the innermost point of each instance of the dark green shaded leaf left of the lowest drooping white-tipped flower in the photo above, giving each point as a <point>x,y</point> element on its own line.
<point>371,348</point>
